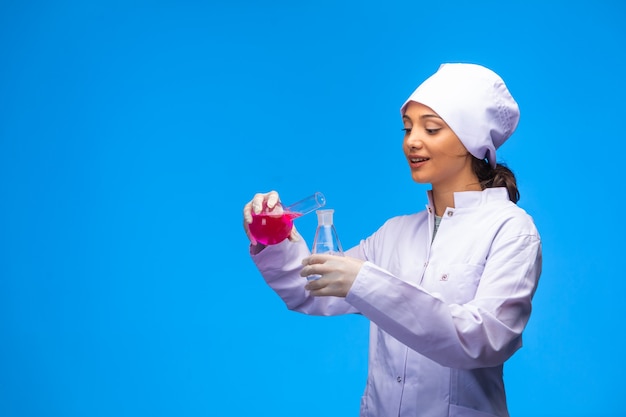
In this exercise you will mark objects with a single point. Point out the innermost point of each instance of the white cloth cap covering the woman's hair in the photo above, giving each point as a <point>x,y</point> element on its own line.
<point>474,102</point>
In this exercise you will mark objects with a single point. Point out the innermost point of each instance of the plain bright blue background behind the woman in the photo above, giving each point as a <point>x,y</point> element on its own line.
<point>133,132</point>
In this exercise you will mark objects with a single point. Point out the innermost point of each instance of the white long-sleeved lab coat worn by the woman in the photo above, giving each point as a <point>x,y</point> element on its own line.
<point>444,316</point>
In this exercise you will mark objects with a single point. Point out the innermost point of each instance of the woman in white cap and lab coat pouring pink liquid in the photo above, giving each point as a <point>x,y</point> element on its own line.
<point>448,289</point>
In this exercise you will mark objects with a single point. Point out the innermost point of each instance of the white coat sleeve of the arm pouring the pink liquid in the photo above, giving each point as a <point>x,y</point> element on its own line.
<point>280,266</point>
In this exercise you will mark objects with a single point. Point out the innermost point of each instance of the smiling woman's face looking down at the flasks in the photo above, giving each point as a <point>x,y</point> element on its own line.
<point>434,152</point>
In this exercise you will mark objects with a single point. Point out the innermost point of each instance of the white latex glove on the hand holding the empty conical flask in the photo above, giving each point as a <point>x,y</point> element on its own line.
<point>337,274</point>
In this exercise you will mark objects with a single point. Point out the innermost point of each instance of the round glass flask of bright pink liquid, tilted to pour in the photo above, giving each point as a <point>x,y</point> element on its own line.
<point>270,227</point>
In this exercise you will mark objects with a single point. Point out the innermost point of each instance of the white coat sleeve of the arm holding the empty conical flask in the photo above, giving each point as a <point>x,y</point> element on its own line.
<point>483,332</point>
